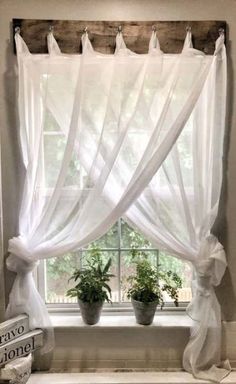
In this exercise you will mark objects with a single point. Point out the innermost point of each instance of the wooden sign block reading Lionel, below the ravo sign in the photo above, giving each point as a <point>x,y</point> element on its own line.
<point>21,346</point>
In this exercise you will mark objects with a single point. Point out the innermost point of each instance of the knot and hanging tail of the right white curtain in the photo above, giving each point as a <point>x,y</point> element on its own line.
<point>202,353</point>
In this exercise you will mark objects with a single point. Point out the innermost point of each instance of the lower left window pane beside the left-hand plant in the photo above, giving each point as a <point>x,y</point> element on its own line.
<point>58,272</point>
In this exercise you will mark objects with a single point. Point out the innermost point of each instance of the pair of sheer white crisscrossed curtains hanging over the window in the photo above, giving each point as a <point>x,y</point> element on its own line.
<point>119,117</point>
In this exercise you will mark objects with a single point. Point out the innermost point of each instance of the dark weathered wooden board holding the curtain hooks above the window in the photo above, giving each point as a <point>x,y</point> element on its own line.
<point>102,34</point>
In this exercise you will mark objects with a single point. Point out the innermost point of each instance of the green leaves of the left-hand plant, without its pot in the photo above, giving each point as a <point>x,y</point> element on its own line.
<point>92,280</point>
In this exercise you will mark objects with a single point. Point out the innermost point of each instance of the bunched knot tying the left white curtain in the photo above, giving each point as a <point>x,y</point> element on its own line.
<point>20,259</point>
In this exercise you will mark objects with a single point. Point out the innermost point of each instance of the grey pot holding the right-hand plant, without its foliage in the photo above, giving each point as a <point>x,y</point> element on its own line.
<point>144,312</point>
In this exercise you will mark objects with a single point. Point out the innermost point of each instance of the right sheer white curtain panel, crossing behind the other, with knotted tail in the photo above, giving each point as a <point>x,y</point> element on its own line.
<point>178,209</point>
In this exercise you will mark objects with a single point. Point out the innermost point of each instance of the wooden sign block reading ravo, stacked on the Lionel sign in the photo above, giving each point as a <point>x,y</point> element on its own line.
<point>13,328</point>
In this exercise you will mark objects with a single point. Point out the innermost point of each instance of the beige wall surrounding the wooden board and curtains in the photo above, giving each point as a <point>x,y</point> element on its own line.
<point>115,10</point>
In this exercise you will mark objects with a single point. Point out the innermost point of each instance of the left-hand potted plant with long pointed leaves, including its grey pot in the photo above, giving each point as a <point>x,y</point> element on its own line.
<point>92,288</point>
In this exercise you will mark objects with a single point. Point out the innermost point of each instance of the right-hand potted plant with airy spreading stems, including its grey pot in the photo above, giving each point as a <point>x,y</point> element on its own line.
<point>146,288</point>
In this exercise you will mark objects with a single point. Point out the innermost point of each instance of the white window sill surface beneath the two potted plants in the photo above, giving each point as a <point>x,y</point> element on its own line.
<point>162,319</point>
